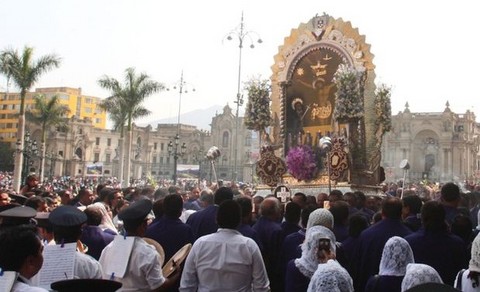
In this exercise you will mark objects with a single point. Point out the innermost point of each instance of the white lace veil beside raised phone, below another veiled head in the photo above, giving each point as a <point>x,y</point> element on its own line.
<point>307,264</point>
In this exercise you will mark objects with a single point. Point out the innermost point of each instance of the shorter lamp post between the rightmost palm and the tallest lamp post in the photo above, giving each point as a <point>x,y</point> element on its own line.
<point>173,146</point>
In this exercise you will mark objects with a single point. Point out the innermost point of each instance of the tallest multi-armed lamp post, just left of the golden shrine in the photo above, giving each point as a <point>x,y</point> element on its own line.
<point>241,34</point>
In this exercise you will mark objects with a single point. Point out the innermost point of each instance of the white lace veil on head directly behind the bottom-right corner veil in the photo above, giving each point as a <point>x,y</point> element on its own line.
<point>397,254</point>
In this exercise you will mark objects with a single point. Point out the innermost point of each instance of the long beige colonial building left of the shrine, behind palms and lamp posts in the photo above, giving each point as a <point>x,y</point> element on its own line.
<point>86,150</point>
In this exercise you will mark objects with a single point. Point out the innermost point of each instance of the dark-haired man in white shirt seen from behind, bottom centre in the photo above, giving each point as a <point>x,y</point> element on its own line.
<point>225,260</point>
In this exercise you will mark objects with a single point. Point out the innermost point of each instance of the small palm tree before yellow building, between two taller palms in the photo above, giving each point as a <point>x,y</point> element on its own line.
<point>47,113</point>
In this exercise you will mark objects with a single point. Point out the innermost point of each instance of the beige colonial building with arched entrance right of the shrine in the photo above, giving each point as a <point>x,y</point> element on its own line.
<point>439,146</point>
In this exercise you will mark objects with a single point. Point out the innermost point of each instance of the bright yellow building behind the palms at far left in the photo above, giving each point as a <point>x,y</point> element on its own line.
<point>81,106</point>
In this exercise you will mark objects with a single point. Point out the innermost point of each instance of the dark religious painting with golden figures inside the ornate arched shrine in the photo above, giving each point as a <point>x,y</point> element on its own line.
<point>310,95</point>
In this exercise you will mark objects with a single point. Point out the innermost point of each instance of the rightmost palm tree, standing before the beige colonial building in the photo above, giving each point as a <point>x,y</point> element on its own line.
<point>125,106</point>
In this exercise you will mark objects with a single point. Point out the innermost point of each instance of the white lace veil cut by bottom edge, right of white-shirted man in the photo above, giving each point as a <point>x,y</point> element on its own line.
<point>329,277</point>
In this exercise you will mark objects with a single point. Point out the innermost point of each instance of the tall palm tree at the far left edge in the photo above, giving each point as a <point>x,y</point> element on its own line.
<point>25,72</point>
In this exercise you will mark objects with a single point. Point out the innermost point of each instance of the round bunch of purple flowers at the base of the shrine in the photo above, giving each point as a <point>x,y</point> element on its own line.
<point>302,162</point>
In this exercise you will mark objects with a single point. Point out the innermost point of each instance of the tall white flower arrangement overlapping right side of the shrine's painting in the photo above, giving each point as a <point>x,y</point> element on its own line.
<point>349,95</point>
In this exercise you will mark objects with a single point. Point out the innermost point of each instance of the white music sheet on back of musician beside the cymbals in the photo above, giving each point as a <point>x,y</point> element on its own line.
<point>117,266</point>
